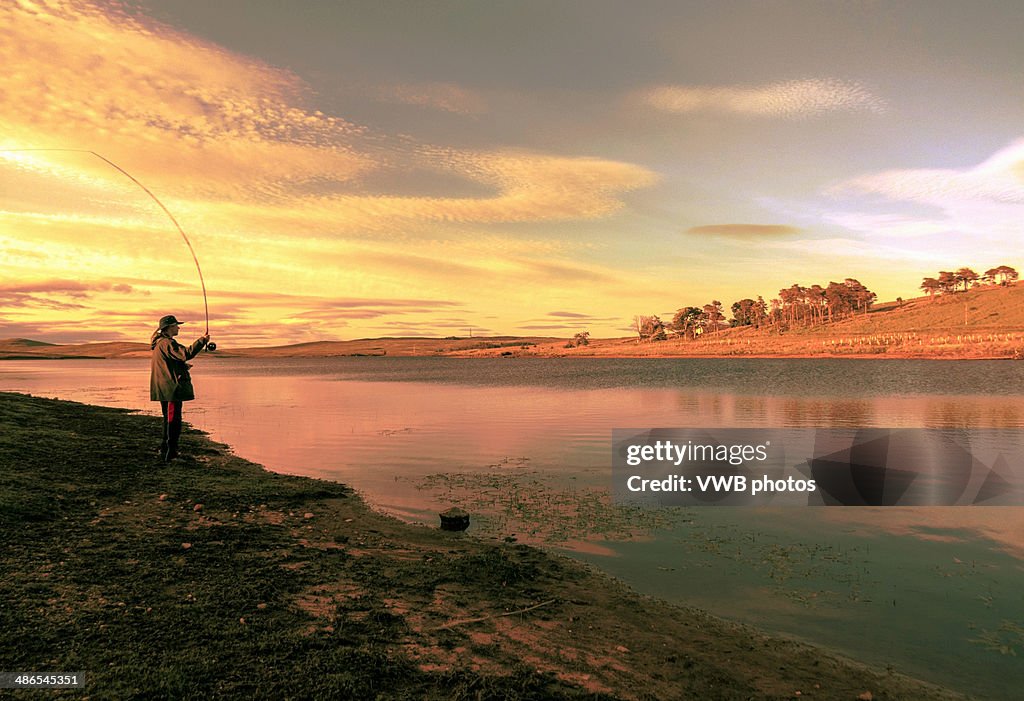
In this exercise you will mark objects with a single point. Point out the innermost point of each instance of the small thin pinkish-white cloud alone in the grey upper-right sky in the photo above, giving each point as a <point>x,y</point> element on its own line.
<point>795,99</point>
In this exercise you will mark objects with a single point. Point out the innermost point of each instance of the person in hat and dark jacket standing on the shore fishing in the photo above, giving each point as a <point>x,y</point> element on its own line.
<point>170,383</point>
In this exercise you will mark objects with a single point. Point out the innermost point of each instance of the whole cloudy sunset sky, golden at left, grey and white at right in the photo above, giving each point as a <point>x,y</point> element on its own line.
<point>445,168</point>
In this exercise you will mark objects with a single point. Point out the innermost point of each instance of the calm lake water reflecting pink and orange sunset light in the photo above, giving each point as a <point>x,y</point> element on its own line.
<point>525,445</point>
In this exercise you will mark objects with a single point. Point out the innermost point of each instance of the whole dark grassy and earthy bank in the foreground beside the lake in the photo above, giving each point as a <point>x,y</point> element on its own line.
<point>214,579</point>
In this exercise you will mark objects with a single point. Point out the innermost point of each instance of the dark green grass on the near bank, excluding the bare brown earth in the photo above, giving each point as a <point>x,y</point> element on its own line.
<point>97,580</point>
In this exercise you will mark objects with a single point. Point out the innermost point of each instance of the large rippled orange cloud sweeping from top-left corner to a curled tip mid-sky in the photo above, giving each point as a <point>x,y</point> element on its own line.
<point>216,127</point>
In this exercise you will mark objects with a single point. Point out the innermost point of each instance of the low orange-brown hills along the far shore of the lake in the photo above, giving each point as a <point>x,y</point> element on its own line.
<point>986,322</point>
